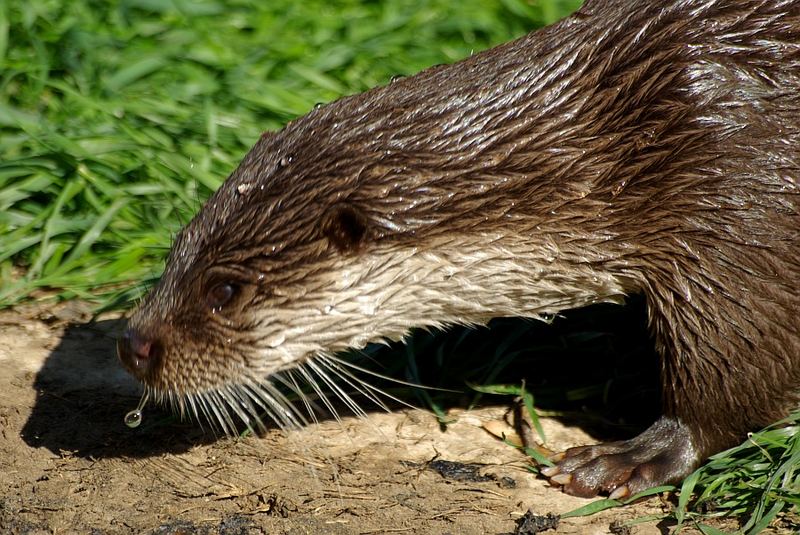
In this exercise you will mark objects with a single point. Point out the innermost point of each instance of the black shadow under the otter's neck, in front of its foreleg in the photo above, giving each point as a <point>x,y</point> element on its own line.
<point>595,367</point>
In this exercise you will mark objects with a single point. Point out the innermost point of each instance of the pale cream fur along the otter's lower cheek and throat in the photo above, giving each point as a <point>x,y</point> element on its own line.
<point>381,295</point>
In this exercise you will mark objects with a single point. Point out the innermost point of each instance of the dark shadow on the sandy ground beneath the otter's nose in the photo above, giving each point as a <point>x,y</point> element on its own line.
<point>83,394</point>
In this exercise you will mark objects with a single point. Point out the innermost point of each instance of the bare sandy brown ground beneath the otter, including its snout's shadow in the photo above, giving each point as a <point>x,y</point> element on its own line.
<point>69,465</point>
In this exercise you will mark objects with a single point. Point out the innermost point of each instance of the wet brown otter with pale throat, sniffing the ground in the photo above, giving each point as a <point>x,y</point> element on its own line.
<point>633,147</point>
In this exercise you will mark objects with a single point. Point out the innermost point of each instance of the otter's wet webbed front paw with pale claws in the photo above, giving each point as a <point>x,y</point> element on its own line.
<point>662,454</point>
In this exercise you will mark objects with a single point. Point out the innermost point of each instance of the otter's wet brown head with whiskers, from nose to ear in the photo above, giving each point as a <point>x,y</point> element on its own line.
<point>277,267</point>
